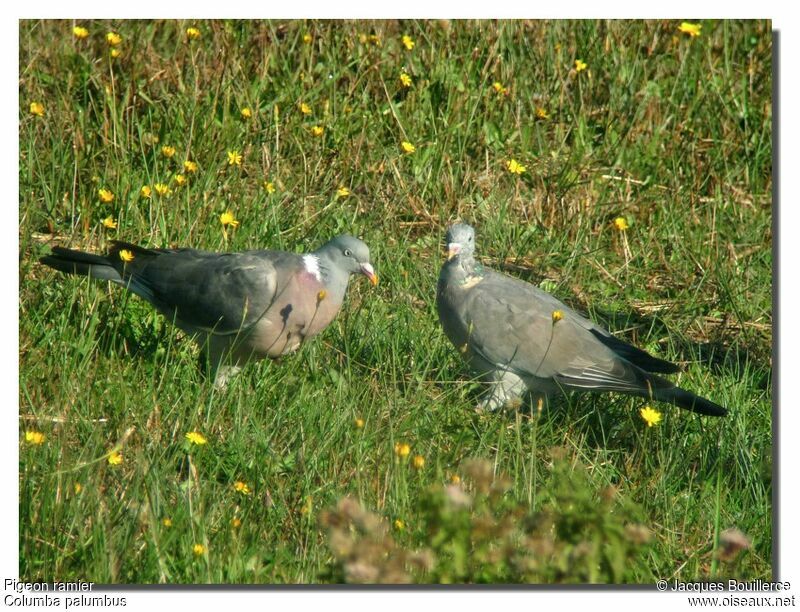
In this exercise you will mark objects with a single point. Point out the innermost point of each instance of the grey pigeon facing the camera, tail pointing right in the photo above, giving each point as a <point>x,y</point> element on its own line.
<point>523,340</point>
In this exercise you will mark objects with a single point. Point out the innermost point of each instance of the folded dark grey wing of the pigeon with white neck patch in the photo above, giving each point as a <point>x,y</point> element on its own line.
<point>222,293</point>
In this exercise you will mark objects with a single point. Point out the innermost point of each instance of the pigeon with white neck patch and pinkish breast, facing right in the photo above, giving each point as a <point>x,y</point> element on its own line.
<point>236,306</point>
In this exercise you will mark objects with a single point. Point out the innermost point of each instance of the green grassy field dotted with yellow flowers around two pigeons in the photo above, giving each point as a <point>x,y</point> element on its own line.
<point>639,120</point>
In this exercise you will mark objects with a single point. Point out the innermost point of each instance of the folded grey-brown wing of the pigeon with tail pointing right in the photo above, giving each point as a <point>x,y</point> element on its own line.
<point>511,325</point>
